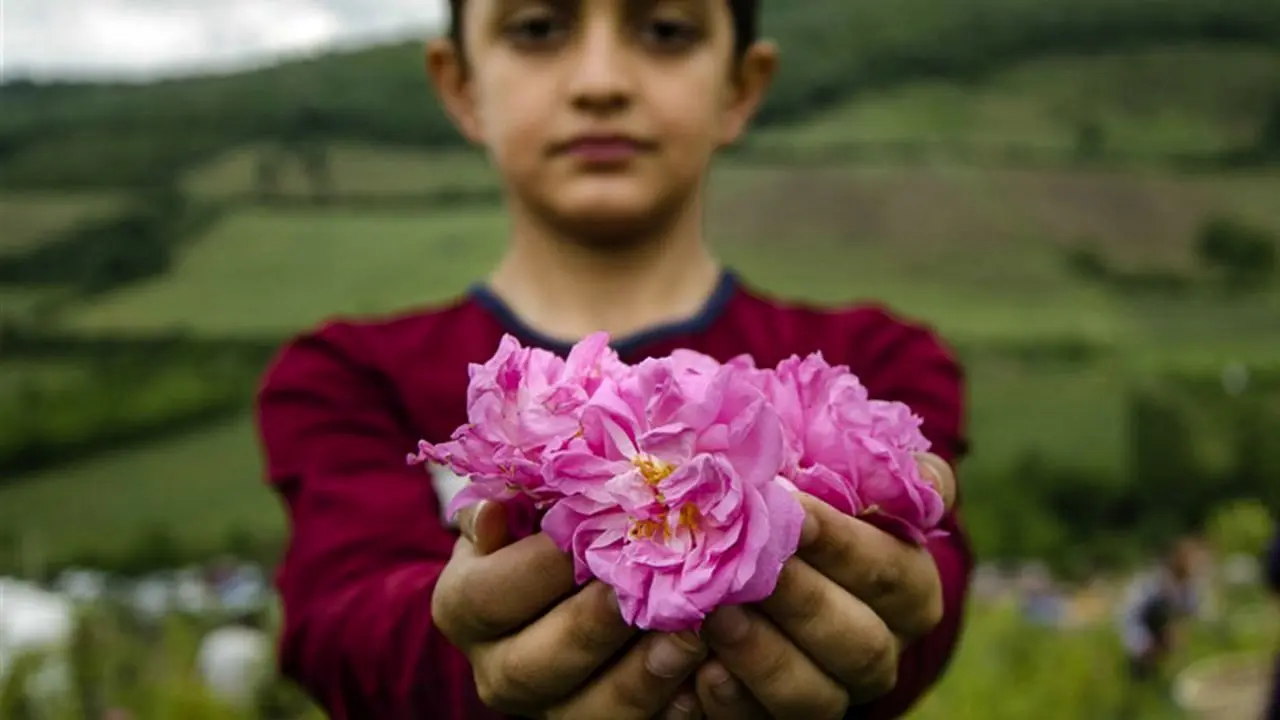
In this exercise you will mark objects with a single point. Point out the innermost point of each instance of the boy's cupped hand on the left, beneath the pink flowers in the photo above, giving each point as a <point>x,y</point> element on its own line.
<point>541,650</point>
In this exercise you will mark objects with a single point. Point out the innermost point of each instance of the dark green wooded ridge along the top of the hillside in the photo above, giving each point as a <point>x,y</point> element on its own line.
<point>125,135</point>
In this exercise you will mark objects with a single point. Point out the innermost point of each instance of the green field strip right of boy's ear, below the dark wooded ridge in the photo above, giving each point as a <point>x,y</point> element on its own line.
<point>1145,103</point>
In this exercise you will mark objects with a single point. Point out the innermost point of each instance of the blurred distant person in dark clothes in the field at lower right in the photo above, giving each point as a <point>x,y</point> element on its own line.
<point>1155,608</point>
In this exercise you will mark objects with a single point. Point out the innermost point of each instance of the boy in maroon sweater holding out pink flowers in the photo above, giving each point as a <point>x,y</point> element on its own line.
<point>602,117</point>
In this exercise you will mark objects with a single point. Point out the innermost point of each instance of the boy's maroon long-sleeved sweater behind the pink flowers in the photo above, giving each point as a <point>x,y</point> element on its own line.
<point>342,407</point>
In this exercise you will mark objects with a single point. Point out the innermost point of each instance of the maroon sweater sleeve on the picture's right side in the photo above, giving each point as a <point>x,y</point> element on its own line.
<point>913,367</point>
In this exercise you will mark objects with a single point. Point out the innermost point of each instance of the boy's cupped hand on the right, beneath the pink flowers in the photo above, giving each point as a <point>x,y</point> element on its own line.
<point>831,634</point>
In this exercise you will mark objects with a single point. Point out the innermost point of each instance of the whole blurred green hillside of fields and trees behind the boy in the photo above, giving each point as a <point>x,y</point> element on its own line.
<point>1031,177</point>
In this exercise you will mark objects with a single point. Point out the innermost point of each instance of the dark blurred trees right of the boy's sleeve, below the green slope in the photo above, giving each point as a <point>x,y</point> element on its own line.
<point>1177,481</point>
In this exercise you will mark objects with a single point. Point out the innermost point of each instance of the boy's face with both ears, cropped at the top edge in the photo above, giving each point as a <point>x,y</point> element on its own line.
<point>601,115</point>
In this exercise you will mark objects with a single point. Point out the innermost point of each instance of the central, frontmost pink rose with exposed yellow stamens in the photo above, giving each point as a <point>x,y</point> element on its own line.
<point>670,495</point>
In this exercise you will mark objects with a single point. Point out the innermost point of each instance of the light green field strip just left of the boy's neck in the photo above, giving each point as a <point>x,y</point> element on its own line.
<point>268,272</point>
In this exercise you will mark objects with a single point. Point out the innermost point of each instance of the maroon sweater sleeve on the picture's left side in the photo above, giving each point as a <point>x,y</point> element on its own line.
<point>365,540</point>
